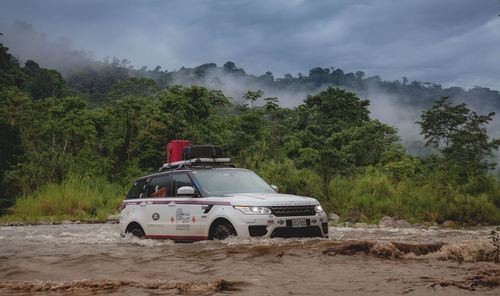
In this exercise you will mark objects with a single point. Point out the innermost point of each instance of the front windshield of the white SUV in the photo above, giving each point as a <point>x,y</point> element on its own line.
<point>222,182</point>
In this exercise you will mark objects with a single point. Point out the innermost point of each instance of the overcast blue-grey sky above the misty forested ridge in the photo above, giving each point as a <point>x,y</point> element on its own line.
<point>452,42</point>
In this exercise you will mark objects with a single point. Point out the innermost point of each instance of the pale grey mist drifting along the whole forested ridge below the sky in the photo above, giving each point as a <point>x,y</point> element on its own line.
<point>397,103</point>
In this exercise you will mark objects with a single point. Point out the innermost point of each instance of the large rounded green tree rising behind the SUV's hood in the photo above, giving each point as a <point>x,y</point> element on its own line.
<point>331,134</point>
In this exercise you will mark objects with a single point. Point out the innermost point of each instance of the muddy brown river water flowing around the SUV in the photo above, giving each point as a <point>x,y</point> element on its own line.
<point>89,259</point>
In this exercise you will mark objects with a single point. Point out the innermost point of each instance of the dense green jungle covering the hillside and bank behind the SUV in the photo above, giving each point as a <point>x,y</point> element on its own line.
<point>71,146</point>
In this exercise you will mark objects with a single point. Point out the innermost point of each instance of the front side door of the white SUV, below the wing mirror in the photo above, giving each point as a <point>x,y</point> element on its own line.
<point>188,210</point>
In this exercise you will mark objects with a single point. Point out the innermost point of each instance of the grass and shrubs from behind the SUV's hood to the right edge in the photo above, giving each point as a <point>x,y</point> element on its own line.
<point>376,193</point>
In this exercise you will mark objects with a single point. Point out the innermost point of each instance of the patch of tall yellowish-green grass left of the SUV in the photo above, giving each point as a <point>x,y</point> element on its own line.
<point>75,198</point>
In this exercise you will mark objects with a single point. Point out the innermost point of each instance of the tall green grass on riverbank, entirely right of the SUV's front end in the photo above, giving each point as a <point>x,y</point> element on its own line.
<point>375,194</point>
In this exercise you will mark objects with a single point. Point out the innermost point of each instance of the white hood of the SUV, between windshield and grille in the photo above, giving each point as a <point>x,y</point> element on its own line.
<point>269,199</point>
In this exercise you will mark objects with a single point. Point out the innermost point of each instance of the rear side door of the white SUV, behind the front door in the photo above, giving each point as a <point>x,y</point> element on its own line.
<point>158,208</point>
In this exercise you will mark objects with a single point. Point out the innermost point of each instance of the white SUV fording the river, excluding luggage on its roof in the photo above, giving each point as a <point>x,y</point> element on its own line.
<point>197,202</point>
